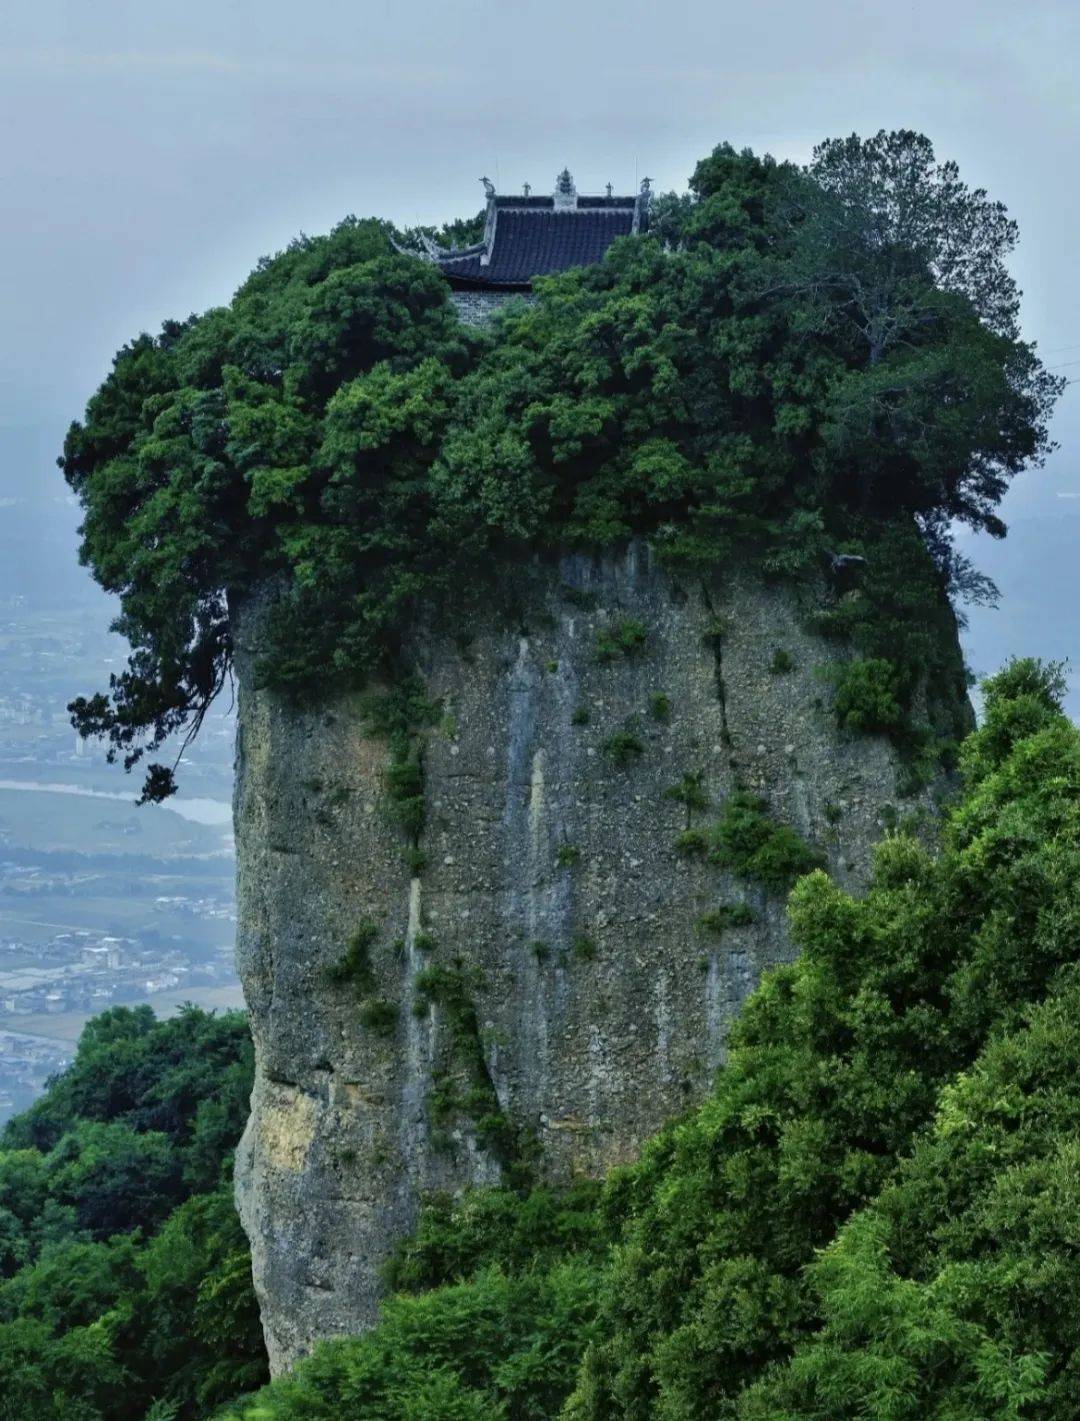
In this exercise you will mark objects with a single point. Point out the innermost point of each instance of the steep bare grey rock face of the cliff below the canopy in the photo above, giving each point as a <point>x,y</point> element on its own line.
<point>544,987</point>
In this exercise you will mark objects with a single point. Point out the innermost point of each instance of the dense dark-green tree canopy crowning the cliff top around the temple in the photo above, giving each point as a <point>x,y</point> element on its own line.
<point>792,362</point>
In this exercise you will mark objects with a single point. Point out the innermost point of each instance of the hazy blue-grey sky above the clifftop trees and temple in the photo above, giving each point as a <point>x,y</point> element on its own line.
<point>151,151</point>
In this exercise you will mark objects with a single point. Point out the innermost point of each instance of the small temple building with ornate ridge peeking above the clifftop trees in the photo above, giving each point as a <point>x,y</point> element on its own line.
<point>526,237</point>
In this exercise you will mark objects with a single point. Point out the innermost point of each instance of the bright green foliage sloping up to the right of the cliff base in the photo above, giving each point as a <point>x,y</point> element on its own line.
<point>873,1214</point>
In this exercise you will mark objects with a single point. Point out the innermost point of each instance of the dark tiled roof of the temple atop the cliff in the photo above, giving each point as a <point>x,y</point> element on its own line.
<point>536,241</point>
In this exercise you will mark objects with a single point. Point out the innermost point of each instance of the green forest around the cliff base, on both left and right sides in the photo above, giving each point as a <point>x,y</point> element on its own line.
<point>872,1216</point>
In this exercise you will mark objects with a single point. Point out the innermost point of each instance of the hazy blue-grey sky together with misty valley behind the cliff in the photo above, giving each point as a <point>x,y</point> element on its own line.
<point>150,154</point>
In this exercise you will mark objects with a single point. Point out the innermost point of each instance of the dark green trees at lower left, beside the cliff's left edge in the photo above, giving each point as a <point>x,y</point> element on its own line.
<point>126,1281</point>
